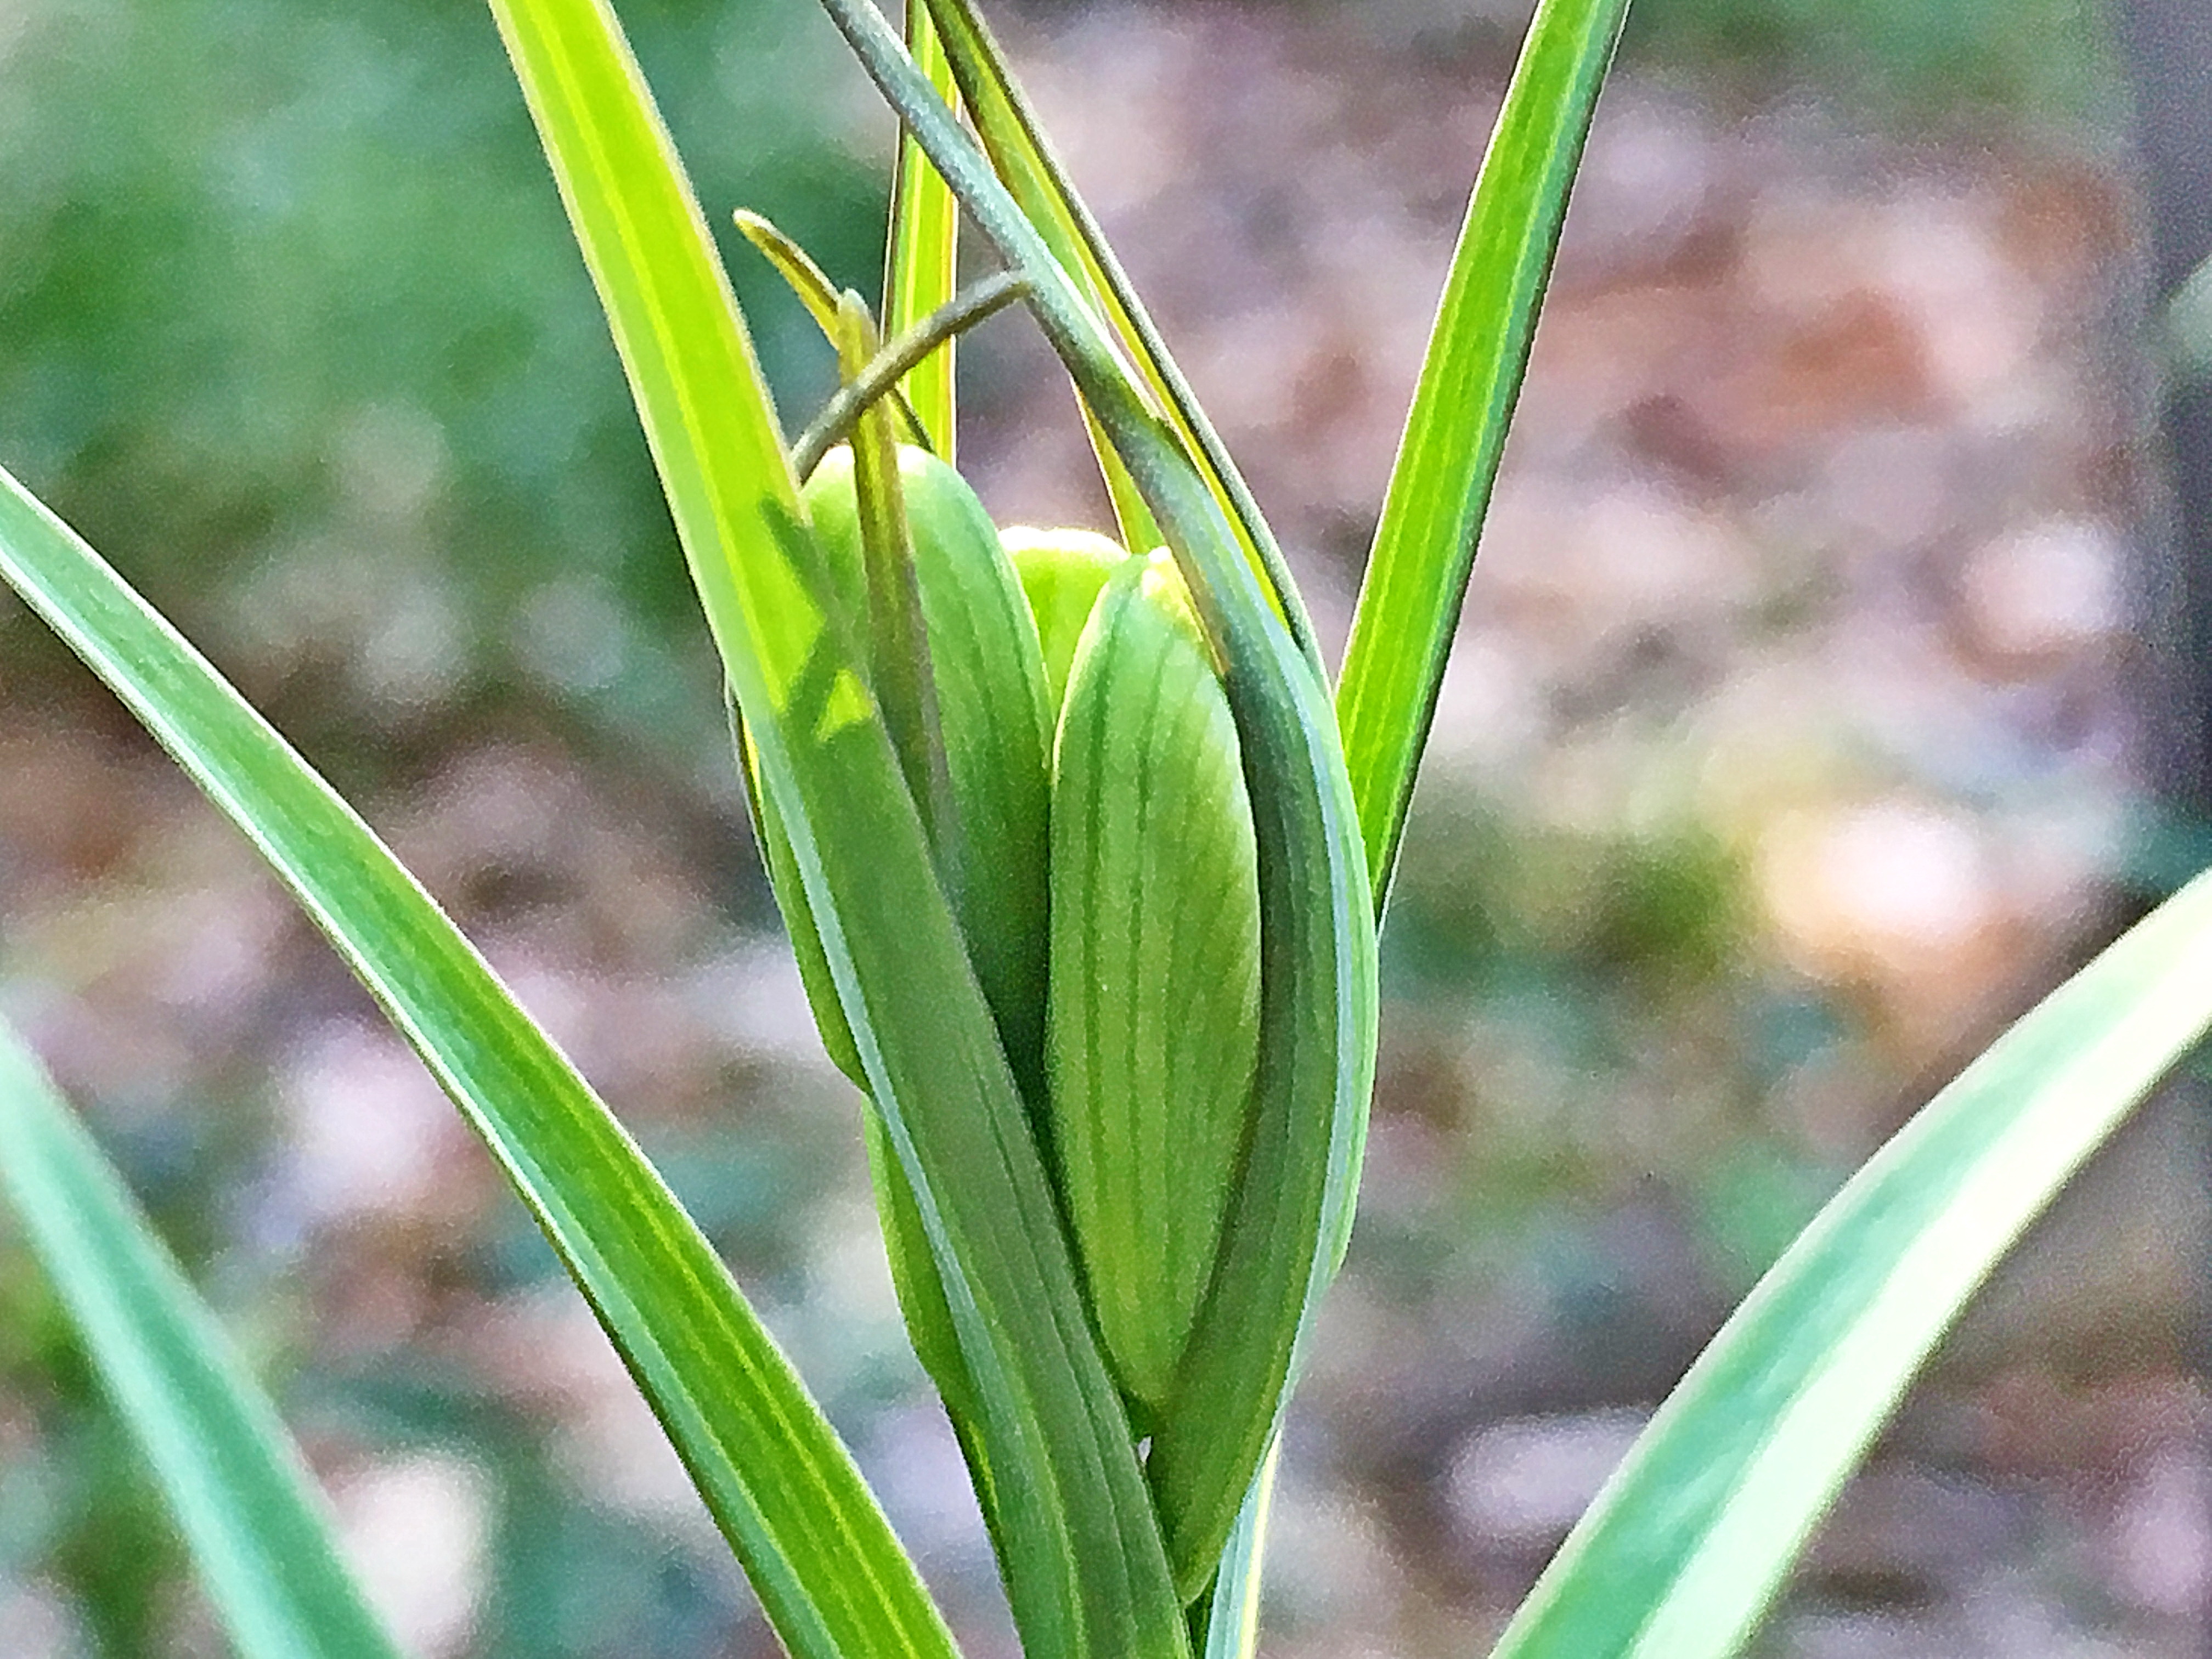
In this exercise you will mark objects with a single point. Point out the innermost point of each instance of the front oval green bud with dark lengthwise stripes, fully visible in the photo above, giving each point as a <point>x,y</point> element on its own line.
<point>1154,1005</point>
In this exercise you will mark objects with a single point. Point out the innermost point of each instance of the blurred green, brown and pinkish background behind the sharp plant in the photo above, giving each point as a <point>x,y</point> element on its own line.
<point>1811,718</point>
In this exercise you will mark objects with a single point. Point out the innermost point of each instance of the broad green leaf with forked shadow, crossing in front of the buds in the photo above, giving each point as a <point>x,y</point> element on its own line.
<point>1085,1563</point>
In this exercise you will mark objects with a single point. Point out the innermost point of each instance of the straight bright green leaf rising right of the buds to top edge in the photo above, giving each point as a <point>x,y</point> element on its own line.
<point>1448,459</point>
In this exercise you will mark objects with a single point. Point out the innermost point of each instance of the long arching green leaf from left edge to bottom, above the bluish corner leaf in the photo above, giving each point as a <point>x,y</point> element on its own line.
<point>773,1472</point>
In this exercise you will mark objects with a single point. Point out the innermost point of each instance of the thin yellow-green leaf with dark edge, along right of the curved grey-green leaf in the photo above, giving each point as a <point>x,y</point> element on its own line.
<point>1027,167</point>
